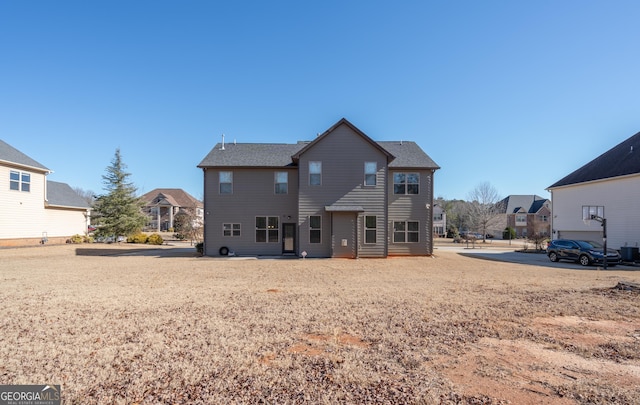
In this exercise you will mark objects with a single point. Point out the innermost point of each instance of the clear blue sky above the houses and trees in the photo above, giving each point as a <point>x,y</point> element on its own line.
<point>517,94</point>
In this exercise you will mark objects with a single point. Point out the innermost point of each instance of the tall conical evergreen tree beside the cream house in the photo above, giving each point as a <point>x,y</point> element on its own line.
<point>119,211</point>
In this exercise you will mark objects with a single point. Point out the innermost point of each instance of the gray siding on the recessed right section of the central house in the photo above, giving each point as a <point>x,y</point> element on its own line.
<point>412,207</point>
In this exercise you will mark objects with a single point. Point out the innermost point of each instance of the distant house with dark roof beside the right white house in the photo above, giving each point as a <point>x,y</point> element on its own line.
<point>528,215</point>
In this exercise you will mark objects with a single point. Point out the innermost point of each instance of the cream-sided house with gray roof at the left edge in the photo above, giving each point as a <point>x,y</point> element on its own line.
<point>32,209</point>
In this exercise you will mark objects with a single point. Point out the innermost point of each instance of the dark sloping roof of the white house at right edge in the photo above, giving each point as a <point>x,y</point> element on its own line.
<point>621,160</point>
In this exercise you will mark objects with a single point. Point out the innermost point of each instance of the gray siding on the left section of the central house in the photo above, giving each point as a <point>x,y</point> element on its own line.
<point>253,195</point>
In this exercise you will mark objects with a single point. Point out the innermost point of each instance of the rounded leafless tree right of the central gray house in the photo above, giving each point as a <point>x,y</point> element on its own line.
<point>483,208</point>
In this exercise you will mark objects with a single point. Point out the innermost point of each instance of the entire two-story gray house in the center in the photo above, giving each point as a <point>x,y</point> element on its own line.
<point>340,195</point>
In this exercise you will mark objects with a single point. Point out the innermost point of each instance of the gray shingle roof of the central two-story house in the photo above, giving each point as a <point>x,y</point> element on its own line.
<point>400,154</point>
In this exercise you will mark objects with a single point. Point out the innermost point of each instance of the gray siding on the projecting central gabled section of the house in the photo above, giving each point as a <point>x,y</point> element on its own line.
<point>342,153</point>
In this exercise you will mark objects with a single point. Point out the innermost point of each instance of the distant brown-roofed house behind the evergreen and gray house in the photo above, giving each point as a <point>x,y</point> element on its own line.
<point>163,204</point>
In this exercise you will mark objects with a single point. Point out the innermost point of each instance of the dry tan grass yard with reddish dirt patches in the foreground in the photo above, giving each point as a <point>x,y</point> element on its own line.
<point>141,325</point>
